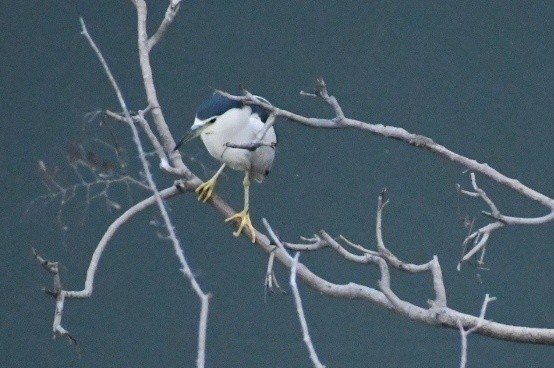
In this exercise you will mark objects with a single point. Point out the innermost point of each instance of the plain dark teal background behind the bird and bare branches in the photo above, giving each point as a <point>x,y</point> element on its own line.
<point>476,77</point>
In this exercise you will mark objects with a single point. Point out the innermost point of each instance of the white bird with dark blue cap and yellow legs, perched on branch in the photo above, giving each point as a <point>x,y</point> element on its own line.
<point>234,133</point>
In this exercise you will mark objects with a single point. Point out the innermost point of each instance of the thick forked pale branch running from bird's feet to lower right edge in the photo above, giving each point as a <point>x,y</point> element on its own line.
<point>438,314</point>
